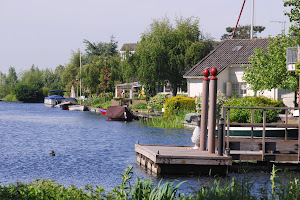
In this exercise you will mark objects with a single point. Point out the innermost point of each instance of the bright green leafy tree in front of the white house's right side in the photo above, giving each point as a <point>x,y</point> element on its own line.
<point>268,69</point>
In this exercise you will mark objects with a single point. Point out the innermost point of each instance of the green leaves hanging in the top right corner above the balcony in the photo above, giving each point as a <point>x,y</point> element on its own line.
<point>294,16</point>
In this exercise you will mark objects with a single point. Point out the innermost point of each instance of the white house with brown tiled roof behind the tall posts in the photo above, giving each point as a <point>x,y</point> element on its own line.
<point>229,57</point>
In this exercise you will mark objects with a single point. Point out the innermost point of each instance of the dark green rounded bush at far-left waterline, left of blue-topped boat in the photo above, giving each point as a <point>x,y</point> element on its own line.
<point>29,93</point>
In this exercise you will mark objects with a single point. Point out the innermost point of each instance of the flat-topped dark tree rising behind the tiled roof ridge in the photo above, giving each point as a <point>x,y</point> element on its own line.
<point>242,32</point>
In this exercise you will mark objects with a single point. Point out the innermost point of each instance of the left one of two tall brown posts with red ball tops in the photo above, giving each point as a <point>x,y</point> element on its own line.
<point>204,111</point>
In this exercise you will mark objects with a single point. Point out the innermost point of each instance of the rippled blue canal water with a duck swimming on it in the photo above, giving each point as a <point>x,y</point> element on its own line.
<point>89,149</point>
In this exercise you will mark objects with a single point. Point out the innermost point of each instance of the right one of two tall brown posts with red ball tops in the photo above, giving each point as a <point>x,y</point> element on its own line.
<point>212,110</point>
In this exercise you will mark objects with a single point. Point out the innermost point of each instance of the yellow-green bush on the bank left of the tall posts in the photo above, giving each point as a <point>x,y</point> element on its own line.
<point>174,104</point>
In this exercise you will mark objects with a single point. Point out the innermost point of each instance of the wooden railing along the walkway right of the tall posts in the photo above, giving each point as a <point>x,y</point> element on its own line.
<point>264,125</point>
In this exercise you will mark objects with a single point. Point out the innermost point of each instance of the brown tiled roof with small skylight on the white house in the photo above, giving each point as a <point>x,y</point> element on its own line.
<point>228,53</point>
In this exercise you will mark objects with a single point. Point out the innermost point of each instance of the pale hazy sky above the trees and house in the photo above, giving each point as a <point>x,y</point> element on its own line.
<point>45,33</point>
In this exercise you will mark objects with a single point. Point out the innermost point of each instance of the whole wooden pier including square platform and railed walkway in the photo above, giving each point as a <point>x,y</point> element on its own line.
<point>261,151</point>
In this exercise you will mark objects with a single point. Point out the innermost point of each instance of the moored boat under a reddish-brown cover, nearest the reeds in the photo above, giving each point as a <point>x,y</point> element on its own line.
<point>120,113</point>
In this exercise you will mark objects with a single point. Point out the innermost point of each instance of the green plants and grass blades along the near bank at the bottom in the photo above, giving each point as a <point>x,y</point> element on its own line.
<point>280,186</point>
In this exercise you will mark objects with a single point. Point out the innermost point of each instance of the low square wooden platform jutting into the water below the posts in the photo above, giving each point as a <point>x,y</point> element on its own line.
<point>163,159</point>
